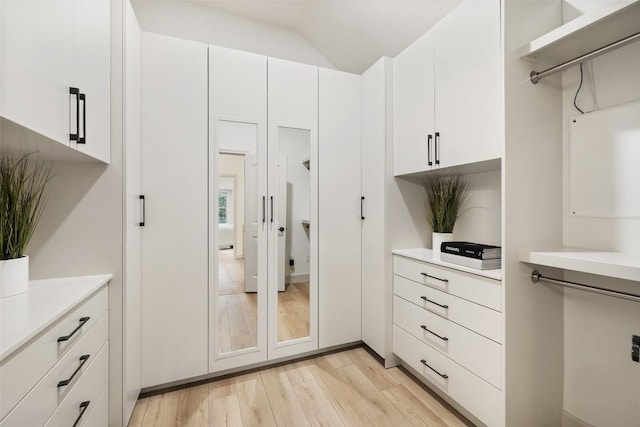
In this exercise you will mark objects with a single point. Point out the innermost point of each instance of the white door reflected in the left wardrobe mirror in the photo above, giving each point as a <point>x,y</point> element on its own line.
<point>251,223</point>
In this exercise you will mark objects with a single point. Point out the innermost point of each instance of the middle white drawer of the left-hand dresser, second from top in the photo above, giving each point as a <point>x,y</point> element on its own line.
<point>36,408</point>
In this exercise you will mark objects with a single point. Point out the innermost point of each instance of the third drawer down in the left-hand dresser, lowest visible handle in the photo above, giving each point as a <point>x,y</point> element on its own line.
<point>89,389</point>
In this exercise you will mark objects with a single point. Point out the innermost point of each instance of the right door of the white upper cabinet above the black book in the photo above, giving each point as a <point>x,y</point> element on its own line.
<point>468,83</point>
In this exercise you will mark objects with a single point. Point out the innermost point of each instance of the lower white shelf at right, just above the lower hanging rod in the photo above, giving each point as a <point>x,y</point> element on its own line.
<point>611,264</point>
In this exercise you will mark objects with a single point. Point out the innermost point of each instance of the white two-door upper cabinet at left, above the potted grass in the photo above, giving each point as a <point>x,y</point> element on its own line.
<point>49,47</point>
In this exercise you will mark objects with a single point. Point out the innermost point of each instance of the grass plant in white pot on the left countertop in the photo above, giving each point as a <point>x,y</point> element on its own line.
<point>22,200</point>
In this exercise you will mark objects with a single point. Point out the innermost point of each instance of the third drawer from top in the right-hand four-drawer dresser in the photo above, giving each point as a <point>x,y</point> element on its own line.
<point>473,351</point>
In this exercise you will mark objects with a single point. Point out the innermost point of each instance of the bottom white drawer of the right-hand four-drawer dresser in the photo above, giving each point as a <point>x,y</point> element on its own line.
<point>476,395</point>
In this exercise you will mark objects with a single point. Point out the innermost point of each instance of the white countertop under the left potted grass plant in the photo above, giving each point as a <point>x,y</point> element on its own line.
<point>24,316</point>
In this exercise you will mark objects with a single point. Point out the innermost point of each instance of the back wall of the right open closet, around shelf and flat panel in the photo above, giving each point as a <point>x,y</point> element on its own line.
<point>601,383</point>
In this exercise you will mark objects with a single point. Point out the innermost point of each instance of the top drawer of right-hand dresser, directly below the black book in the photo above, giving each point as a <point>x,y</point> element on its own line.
<point>478,289</point>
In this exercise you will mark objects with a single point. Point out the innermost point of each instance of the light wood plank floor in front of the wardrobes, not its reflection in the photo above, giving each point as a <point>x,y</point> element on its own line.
<point>349,388</point>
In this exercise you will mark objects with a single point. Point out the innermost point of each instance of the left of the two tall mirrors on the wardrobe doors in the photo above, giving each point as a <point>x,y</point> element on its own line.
<point>237,236</point>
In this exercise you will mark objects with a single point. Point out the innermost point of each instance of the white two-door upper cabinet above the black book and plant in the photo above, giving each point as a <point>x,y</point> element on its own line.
<point>448,92</point>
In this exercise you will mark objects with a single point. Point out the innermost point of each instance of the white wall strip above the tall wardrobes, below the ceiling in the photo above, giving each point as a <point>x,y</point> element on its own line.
<point>204,24</point>
